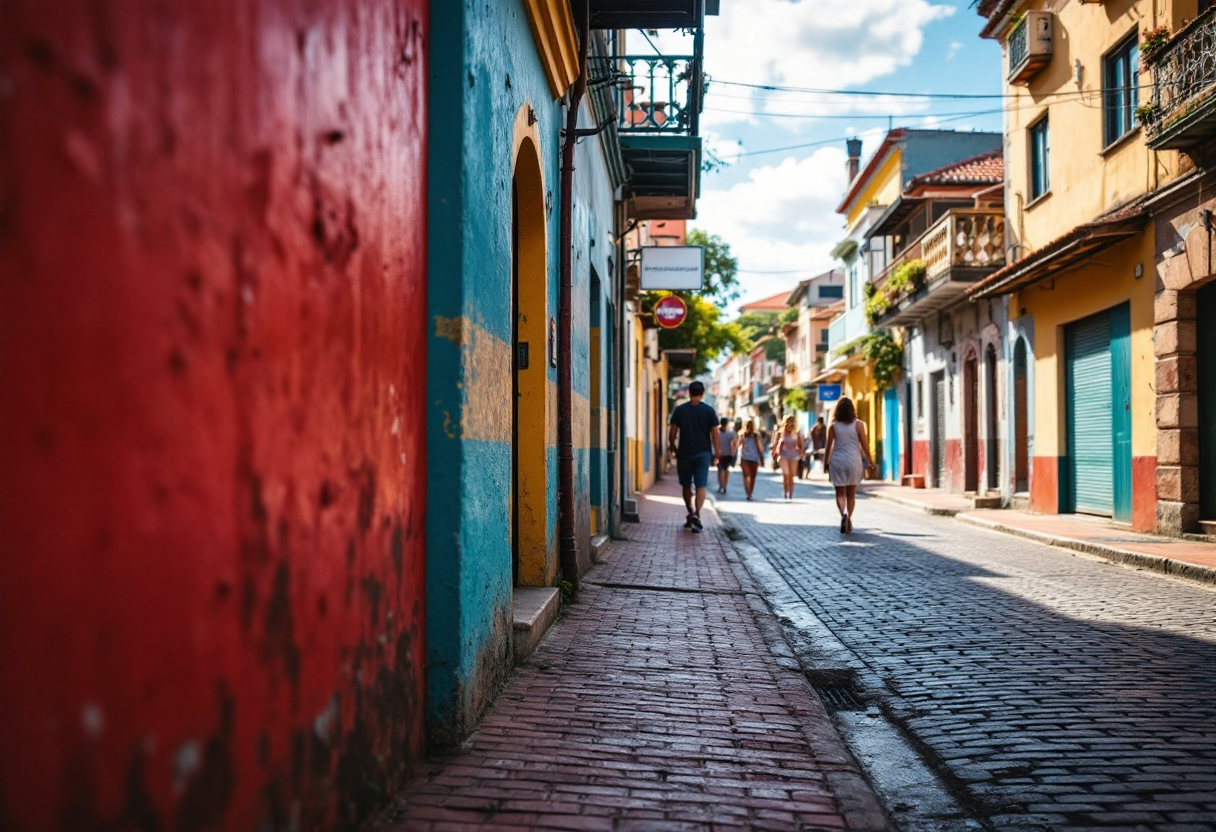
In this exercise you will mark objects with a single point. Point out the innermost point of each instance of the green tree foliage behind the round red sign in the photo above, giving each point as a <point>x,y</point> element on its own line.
<point>703,329</point>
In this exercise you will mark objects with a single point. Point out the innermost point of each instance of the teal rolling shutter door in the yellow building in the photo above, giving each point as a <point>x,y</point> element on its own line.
<point>1090,426</point>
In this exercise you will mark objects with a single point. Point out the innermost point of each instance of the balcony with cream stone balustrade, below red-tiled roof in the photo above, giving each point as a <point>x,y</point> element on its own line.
<point>962,248</point>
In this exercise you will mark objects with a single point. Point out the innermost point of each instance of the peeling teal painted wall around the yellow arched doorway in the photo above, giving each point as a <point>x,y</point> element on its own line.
<point>483,69</point>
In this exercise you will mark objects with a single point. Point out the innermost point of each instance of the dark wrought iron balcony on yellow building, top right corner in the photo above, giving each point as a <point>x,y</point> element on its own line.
<point>1184,111</point>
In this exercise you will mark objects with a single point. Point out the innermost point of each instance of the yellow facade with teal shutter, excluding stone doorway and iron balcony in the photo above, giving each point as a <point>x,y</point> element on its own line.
<point>1082,274</point>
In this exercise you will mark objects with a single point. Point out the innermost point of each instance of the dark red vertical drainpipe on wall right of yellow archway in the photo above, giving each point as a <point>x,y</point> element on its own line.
<point>568,553</point>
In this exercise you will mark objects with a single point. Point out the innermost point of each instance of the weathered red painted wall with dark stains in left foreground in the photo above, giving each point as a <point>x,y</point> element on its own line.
<point>212,346</point>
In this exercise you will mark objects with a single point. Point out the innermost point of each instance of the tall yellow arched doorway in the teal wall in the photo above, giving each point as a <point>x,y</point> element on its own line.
<point>530,476</point>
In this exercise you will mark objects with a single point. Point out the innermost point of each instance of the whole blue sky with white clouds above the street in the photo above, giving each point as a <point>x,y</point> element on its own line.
<point>778,210</point>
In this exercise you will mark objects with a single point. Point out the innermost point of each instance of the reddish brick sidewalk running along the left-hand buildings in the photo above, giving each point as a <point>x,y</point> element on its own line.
<point>655,704</point>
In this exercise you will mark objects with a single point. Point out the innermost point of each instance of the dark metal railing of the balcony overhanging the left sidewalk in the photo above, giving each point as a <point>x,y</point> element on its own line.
<point>660,94</point>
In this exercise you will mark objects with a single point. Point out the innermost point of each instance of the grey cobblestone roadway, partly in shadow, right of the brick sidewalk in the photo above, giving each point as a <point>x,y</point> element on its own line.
<point>1046,690</point>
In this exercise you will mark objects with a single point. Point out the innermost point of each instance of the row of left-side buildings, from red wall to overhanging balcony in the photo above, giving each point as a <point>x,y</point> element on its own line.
<point>325,374</point>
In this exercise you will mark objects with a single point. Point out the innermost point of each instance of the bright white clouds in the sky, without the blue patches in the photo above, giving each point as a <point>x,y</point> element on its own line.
<point>781,223</point>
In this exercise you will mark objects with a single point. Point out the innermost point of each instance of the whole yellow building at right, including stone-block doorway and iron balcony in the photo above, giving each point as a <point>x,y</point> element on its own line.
<point>1113,411</point>
